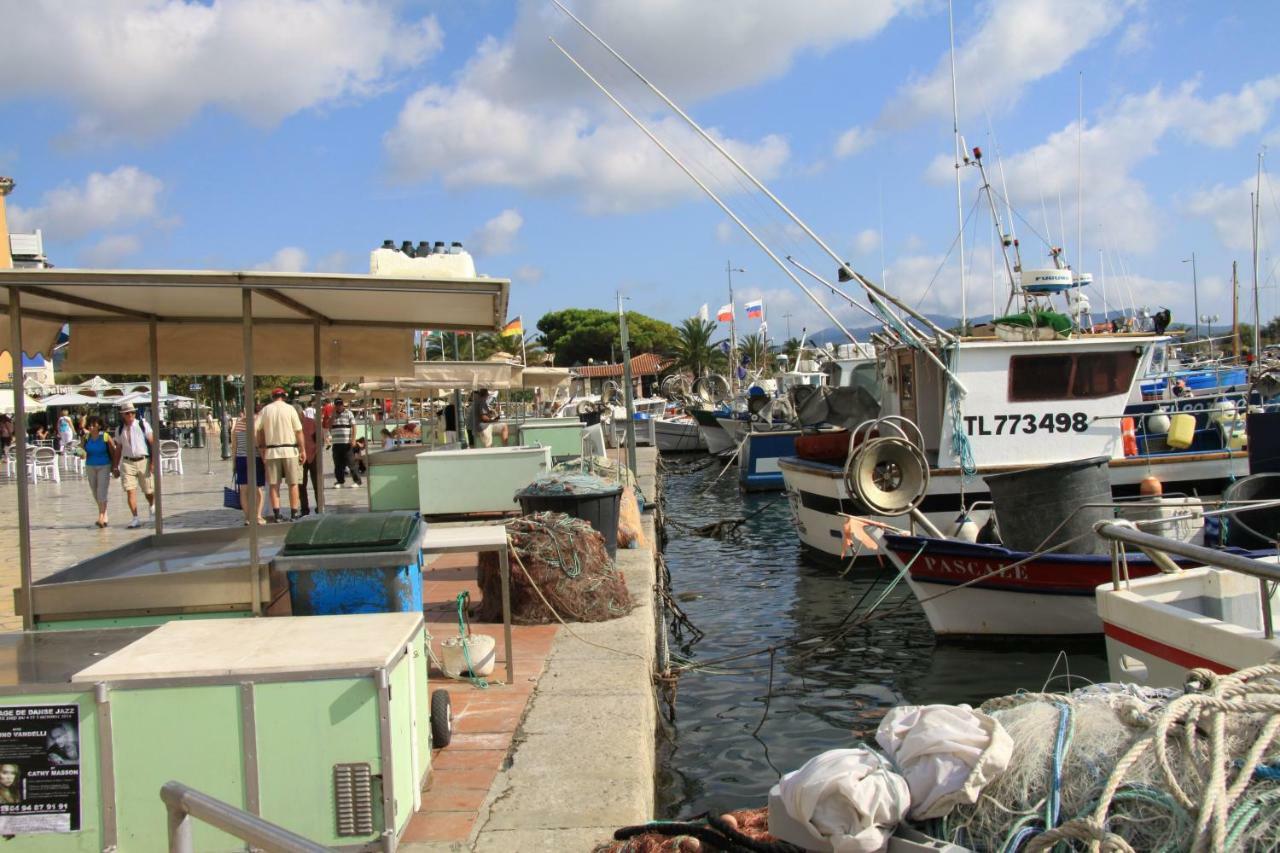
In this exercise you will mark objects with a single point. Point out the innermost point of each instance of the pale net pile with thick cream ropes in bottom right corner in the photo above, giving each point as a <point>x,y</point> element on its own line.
<point>1133,769</point>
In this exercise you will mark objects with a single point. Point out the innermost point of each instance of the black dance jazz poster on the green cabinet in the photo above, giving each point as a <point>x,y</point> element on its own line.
<point>39,769</point>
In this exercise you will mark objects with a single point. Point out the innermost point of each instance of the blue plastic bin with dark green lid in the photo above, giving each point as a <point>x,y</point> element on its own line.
<point>368,564</point>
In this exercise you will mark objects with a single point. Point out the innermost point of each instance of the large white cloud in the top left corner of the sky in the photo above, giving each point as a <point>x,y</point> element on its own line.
<point>138,69</point>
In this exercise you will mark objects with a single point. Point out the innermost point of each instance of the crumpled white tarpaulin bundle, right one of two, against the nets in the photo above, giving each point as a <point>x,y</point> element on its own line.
<point>948,754</point>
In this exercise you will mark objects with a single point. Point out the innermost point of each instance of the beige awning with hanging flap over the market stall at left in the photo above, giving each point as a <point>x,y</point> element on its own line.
<point>367,322</point>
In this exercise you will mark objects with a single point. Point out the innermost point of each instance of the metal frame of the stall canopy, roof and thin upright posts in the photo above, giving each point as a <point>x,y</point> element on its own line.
<point>162,298</point>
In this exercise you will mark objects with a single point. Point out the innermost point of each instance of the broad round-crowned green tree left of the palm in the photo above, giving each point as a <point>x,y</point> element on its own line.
<point>578,335</point>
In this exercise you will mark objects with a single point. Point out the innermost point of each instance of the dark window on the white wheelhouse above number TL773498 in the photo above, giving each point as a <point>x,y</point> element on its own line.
<point>1071,377</point>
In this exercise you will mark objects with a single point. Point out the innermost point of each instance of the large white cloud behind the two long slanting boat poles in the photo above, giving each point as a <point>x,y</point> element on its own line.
<point>519,116</point>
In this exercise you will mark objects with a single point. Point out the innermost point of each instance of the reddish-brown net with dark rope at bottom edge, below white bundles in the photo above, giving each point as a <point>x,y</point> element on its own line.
<point>743,831</point>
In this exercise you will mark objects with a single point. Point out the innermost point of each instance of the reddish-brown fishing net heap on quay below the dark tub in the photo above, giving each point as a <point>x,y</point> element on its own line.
<point>560,563</point>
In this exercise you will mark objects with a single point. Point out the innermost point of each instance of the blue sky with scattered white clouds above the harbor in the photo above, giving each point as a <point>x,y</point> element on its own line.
<point>298,135</point>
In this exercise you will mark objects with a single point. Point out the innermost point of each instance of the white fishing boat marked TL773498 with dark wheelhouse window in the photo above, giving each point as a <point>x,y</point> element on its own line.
<point>1023,404</point>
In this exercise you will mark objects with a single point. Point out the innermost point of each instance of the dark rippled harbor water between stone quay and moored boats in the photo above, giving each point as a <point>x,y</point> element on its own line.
<point>756,590</point>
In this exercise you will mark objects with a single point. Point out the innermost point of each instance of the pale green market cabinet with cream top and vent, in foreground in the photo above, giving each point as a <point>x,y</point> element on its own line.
<point>318,724</point>
